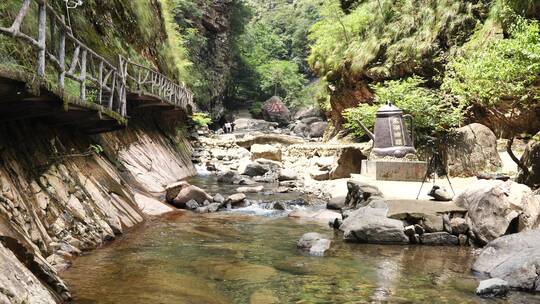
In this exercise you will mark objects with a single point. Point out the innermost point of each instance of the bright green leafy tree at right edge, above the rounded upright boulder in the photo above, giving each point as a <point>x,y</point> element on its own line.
<point>501,70</point>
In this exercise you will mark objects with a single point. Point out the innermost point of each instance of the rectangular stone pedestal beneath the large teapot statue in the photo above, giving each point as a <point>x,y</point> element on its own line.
<point>394,170</point>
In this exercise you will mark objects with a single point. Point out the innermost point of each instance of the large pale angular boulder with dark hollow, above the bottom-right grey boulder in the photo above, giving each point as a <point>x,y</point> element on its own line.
<point>496,208</point>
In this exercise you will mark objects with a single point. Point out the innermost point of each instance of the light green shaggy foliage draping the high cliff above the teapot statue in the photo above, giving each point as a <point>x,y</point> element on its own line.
<point>381,39</point>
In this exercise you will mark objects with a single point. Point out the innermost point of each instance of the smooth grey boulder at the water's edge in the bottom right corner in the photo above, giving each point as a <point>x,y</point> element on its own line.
<point>514,258</point>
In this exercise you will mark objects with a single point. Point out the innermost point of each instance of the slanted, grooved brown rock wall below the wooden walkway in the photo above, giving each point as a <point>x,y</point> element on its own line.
<point>59,196</point>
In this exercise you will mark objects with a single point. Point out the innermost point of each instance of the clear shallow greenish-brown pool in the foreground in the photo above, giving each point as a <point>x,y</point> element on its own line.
<point>235,258</point>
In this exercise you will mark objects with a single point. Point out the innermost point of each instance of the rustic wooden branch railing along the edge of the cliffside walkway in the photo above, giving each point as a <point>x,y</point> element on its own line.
<point>97,78</point>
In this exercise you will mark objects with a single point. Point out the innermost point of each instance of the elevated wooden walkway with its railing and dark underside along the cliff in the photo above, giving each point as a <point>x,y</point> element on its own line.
<point>71,85</point>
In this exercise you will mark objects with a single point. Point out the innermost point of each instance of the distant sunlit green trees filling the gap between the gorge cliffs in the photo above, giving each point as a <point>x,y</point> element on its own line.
<point>272,52</point>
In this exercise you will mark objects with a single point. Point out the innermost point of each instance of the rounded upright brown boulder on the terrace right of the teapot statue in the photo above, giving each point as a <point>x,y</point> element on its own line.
<point>472,150</point>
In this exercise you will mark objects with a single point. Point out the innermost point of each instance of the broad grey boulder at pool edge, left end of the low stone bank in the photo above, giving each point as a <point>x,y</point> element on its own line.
<point>370,225</point>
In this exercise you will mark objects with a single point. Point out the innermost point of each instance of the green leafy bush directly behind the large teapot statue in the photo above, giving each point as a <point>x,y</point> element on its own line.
<point>431,112</point>
